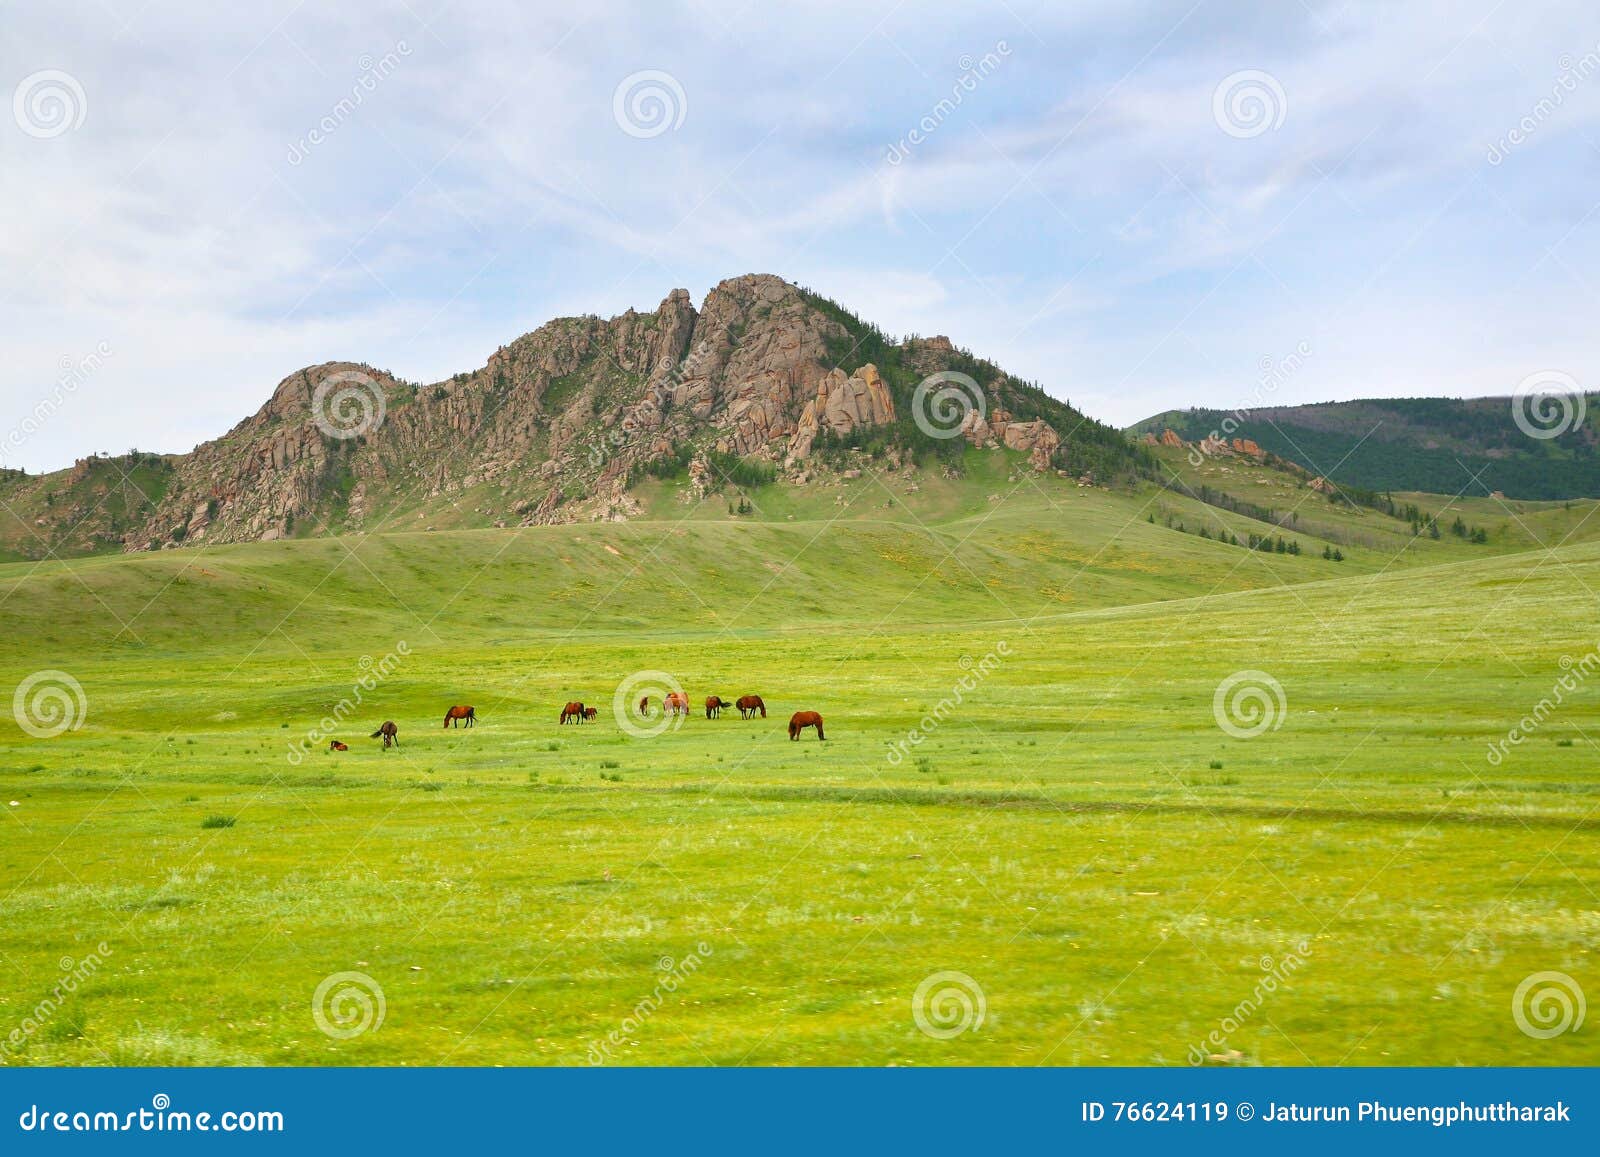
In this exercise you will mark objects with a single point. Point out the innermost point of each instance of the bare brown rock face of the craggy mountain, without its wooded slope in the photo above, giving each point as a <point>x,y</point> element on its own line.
<point>559,423</point>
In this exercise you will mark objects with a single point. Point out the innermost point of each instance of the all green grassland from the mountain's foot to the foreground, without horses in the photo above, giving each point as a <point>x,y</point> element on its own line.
<point>1078,835</point>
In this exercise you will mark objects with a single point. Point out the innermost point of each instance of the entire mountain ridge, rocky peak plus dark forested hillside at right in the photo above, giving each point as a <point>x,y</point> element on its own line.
<point>764,382</point>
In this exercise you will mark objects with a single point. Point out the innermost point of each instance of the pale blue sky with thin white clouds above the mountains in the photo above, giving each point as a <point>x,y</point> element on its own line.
<point>1137,206</point>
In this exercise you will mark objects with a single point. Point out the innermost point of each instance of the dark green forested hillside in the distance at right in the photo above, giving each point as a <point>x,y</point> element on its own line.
<point>1433,446</point>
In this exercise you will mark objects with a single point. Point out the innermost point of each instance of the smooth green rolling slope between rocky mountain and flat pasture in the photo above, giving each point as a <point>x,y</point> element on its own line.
<point>977,538</point>
